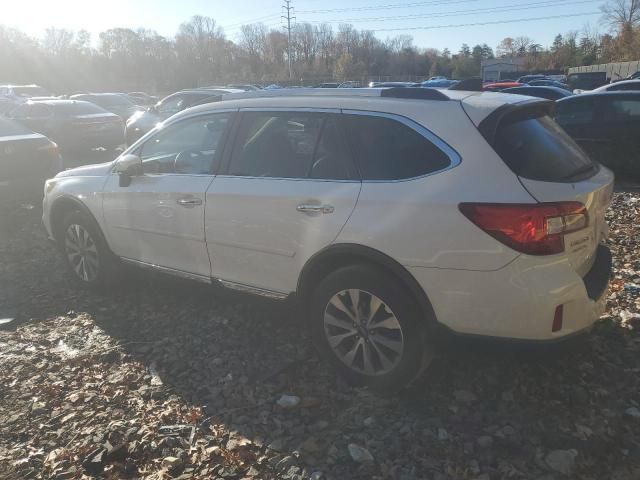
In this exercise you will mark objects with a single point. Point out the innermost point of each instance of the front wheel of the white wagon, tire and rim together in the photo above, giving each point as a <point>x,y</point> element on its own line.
<point>85,251</point>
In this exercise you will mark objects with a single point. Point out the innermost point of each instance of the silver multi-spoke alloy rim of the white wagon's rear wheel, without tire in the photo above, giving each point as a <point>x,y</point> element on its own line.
<point>363,332</point>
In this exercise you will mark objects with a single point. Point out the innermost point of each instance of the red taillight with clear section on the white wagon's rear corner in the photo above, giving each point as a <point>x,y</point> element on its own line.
<point>535,229</point>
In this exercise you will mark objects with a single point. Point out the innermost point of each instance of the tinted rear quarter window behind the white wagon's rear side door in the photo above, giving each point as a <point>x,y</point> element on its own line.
<point>387,149</point>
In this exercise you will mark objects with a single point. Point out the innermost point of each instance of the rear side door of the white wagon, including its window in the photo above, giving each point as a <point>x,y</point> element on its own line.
<point>288,190</point>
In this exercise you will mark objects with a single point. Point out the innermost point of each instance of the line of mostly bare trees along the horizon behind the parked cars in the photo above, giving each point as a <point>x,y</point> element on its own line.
<point>200,54</point>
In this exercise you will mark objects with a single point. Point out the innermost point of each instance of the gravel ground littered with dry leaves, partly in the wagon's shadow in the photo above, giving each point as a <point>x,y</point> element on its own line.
<point>160,378</point>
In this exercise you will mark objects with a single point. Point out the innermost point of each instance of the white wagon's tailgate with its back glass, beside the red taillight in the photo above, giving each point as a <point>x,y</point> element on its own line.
<point>553,168</point>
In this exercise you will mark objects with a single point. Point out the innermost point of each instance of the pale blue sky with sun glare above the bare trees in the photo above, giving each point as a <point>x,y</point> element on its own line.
<point>449,23</point>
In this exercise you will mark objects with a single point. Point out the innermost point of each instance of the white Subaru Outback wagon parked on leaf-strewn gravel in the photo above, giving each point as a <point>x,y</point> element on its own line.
<point>386,211</point>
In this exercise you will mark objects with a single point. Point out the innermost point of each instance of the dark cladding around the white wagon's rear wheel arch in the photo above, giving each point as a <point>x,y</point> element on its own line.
<point>336,256</point>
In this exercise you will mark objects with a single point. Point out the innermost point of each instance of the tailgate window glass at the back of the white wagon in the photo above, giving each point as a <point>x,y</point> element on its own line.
<point>539,149</point>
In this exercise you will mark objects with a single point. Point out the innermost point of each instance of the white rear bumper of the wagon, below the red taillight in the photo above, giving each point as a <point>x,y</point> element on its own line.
<point>518,302</point>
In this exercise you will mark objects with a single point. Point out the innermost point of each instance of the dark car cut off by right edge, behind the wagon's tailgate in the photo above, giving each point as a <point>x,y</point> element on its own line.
<point>607,126</point>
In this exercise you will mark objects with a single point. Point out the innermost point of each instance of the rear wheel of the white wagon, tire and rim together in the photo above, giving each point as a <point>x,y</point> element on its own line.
<point>395,337</point>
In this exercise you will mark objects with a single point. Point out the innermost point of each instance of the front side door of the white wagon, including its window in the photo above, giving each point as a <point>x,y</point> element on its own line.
<point>159,218</point>
